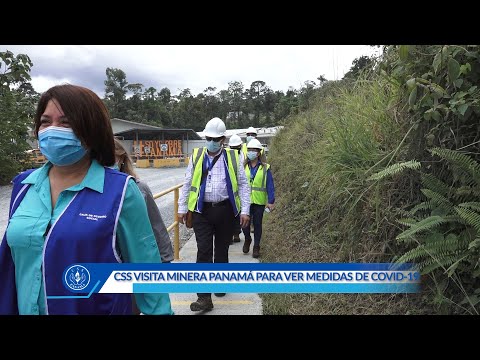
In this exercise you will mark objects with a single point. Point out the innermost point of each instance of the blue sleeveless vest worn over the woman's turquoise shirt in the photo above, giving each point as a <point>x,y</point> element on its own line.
<point>74,238</point>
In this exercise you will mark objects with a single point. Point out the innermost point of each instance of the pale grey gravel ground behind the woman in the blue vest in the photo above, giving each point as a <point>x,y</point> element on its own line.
<point>157,179</point>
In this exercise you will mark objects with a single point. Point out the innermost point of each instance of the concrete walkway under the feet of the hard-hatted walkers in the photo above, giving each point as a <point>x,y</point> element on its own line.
<point>231,303</point>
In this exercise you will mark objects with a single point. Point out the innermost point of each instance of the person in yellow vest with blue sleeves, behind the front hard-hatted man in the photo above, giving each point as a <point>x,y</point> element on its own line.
<point>262,195</point>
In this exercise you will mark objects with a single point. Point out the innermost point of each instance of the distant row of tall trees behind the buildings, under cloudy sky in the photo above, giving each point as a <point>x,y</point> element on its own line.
<point>240,107</point>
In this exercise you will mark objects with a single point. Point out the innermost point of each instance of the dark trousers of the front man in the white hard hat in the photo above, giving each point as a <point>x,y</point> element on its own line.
<point>213,231</point>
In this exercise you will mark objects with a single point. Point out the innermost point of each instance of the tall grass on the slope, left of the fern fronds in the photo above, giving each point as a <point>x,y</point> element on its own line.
<point>327,210</point>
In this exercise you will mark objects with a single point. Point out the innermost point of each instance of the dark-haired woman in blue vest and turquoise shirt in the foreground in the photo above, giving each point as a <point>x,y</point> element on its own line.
<point>73,210</point>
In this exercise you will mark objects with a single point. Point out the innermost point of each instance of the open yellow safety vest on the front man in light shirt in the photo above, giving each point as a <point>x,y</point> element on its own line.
<point>232,162</point>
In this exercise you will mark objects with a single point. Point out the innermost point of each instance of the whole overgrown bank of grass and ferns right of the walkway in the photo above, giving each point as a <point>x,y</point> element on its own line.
<point>347,173</point>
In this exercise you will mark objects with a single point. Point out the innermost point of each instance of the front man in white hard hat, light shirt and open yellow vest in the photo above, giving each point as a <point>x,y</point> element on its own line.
<point>216,191</point>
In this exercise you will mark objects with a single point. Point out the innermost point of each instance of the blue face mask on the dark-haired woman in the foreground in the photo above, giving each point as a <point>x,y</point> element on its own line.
<point>60,145</point>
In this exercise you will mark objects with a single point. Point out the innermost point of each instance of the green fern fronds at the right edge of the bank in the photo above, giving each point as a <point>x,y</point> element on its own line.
<point>443,231</point>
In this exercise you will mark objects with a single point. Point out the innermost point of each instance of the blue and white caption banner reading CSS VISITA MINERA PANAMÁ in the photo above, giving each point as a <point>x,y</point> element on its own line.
<point>85,279</point>
